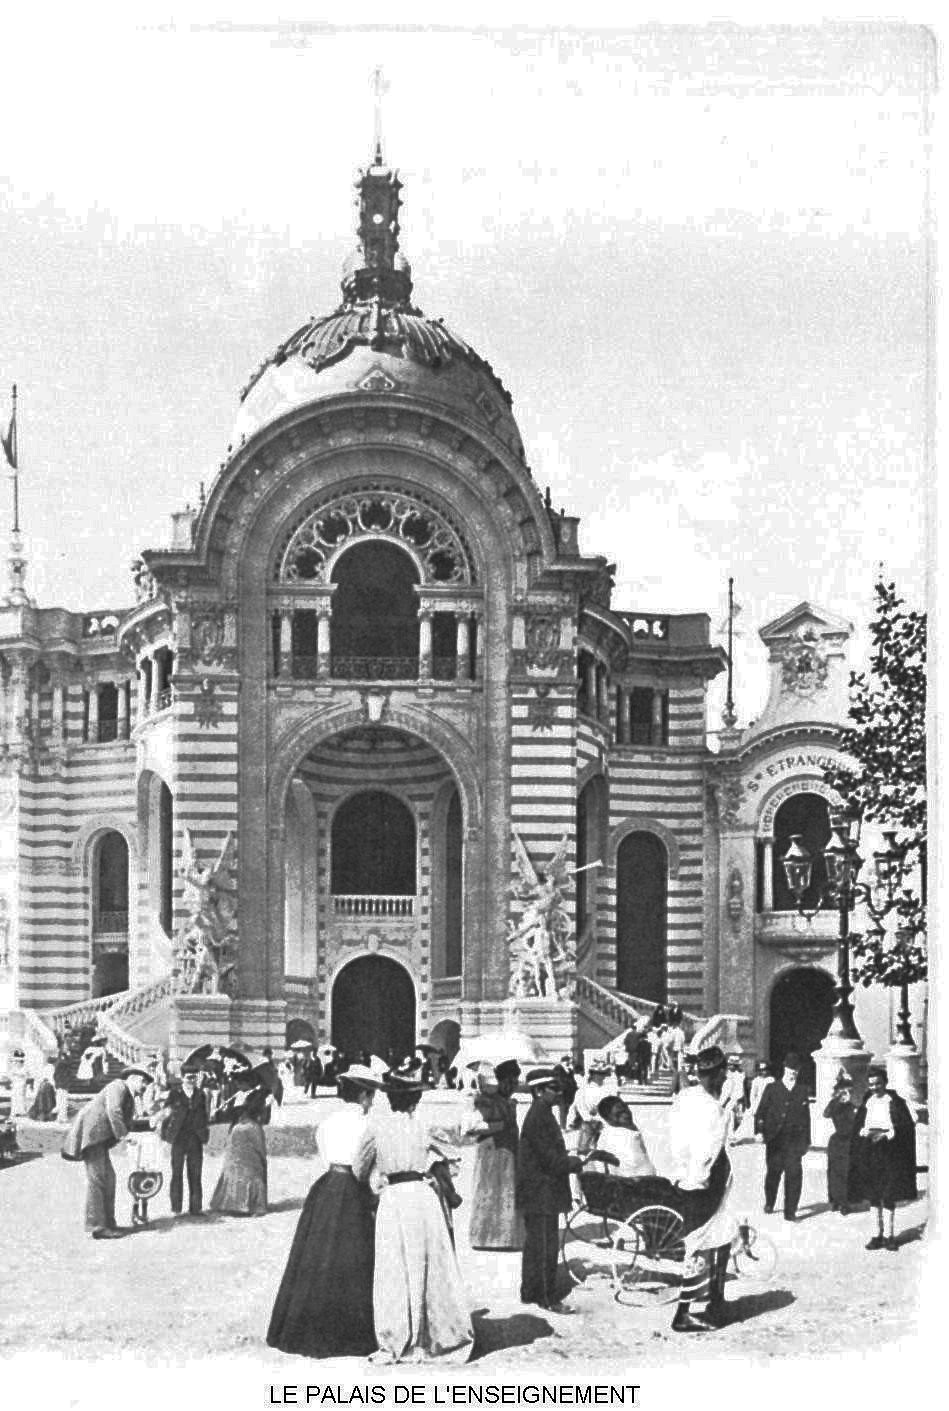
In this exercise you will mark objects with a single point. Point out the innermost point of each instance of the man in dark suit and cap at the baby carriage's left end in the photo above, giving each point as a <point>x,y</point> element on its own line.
<point>544,1190</point>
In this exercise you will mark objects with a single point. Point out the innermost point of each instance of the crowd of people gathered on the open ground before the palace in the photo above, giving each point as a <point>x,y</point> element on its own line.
<point>373,1268</point>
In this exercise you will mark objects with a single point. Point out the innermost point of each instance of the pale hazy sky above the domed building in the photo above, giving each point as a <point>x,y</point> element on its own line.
<point>696,256</point>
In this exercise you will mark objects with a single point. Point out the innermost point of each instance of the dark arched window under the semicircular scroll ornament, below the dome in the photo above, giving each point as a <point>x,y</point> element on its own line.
<point>374,633</point>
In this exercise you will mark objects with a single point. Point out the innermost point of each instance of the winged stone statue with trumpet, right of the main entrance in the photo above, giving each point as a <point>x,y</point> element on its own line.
<point>542,943</point>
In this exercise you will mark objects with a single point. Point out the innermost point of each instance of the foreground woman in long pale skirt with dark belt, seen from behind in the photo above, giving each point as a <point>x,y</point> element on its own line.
<point>420,1302</point>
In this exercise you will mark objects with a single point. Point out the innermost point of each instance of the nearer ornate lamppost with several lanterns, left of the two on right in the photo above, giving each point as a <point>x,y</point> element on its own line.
<point>843,891</point>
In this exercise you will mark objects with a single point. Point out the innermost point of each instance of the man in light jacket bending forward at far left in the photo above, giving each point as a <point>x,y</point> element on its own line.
<point>94,1134</point>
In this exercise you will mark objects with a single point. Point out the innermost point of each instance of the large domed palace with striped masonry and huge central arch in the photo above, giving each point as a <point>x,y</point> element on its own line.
<point>370,709</point>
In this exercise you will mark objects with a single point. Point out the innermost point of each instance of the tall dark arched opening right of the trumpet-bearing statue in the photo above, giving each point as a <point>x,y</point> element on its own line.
<point>642,885</point>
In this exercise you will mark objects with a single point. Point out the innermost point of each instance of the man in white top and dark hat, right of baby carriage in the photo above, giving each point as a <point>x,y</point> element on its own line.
<point>703,1179</point>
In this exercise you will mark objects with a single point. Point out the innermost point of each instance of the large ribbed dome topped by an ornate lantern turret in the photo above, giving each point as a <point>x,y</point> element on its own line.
<point>377,342</point>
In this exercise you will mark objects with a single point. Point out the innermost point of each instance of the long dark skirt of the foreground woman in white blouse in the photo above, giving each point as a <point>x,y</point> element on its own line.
<point>325,1303</point>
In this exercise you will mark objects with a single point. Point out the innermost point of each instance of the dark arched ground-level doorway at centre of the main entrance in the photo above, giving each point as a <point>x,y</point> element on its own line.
<point>374,1010</point>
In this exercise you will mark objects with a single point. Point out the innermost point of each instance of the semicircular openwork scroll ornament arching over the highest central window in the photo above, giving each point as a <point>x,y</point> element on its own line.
<point>383,513</point>
